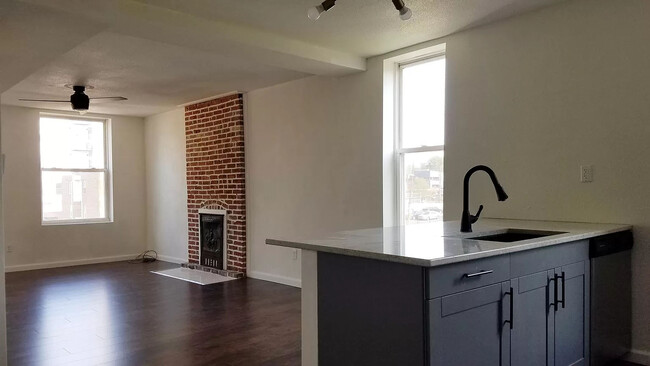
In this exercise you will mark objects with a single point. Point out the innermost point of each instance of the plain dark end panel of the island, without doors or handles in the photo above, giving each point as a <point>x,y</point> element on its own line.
<point>370,313</point>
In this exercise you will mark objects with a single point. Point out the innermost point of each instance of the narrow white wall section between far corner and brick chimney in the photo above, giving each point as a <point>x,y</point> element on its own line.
<point>166,185</point>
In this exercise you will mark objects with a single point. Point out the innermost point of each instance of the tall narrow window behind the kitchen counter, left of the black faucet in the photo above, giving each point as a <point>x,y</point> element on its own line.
<point>421,139</point>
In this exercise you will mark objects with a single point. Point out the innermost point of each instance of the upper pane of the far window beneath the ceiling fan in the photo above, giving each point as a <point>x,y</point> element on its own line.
<point>72,144</point>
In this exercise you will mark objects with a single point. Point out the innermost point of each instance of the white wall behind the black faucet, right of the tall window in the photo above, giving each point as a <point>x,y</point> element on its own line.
<point>539,95</point>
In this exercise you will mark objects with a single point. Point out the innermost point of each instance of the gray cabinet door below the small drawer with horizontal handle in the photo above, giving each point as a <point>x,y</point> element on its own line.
<point>467,328</point>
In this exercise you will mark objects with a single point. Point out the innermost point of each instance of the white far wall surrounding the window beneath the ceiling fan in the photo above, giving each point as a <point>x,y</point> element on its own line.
<point>37,246</point>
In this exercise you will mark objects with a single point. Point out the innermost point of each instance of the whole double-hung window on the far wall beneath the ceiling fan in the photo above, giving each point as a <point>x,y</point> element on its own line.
<point>75,170</point>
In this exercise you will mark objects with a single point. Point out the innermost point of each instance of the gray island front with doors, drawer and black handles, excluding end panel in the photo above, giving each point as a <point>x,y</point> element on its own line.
<point>469,316</point>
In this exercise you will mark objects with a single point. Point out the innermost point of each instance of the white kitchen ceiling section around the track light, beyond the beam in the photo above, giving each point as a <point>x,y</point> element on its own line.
<point>360,27</point>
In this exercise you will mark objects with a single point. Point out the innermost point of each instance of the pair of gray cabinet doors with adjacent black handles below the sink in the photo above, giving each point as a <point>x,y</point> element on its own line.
<point>551,317</point>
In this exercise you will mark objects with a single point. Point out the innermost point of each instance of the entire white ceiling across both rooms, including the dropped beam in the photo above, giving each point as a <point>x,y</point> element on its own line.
<point>163,53</point>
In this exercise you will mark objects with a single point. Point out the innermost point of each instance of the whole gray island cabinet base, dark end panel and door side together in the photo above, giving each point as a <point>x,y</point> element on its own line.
<point>379,313</point>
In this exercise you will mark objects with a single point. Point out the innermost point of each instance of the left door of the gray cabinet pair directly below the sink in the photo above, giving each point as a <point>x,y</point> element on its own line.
<point>530,332</point>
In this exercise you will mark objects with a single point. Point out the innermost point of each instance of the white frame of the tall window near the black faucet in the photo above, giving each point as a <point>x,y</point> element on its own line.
<point>399,151</point>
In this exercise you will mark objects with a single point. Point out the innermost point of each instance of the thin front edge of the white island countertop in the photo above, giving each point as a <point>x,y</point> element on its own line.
<point>525,245</point>
